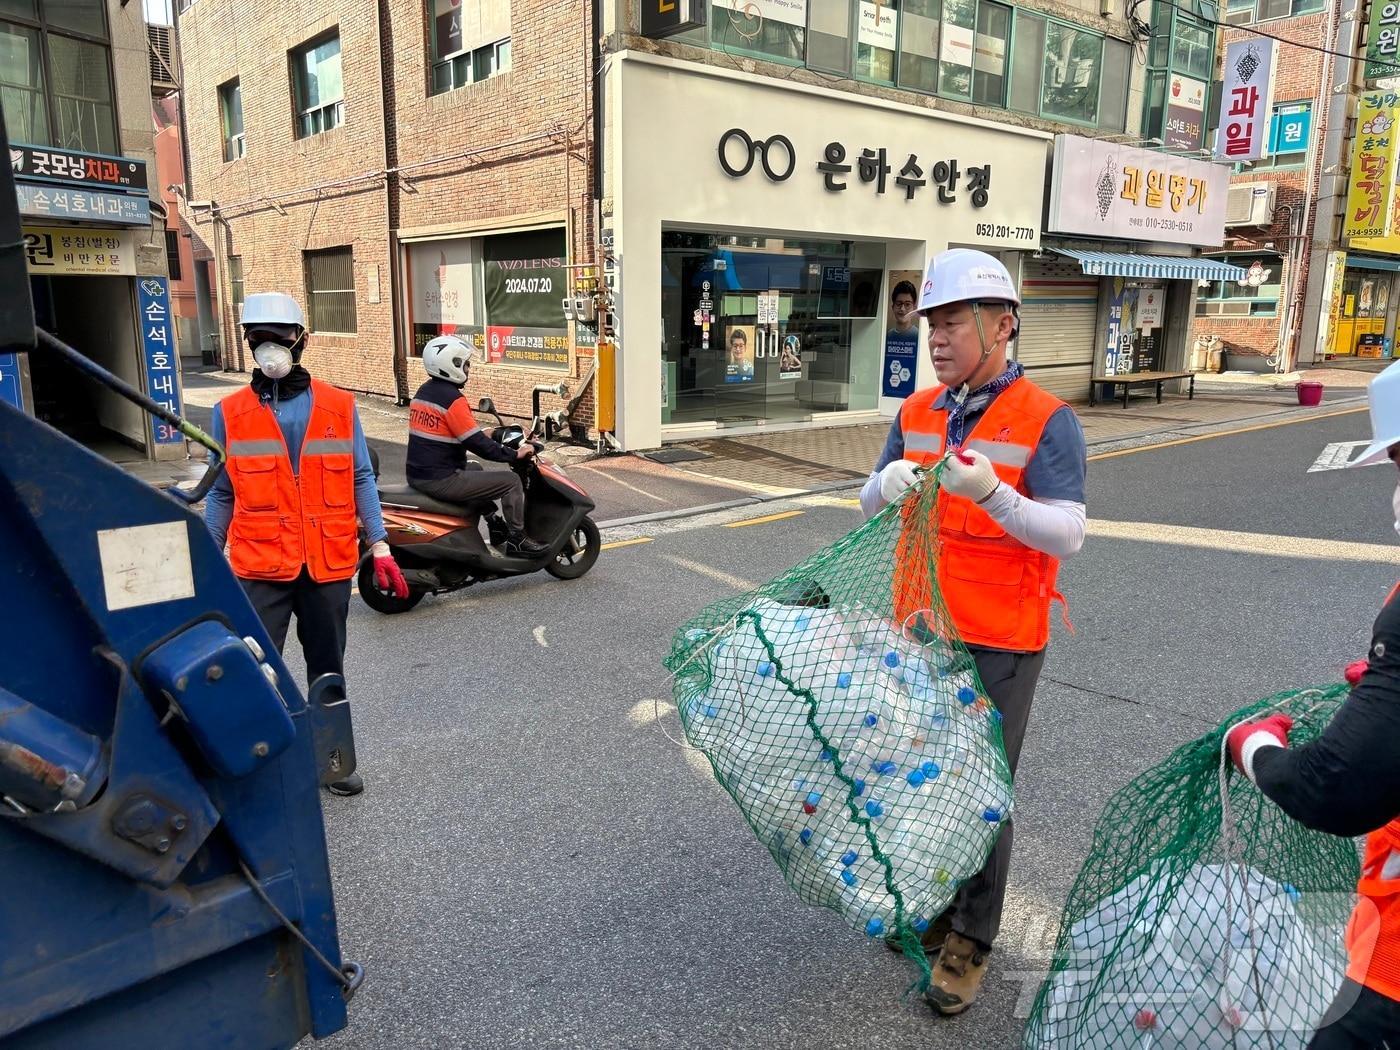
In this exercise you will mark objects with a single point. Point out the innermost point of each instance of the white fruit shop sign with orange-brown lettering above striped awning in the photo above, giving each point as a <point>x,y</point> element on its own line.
<point>1104,190</point>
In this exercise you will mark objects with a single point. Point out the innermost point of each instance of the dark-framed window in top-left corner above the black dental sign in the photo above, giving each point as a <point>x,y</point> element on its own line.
<point>57,75</point>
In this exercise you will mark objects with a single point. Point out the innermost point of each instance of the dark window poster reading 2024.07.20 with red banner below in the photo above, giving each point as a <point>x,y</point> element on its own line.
<point>524,283</point>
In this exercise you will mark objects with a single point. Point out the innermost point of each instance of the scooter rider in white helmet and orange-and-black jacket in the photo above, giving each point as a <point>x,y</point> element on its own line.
<point>442,432</point>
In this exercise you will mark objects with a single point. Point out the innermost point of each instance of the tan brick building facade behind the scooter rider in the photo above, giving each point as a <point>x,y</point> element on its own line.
<point>388,170</point>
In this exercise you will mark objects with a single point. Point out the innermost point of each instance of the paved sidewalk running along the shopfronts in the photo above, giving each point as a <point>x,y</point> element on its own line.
<point>751,468</point>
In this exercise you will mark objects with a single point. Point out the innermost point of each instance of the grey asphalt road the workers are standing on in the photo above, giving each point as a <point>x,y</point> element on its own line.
<point>535,864</point>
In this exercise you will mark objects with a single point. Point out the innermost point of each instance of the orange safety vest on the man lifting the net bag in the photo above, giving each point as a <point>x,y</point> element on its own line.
<point>996,589</point>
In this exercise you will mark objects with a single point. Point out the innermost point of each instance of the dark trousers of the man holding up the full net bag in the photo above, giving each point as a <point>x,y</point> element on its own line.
<point>1010,680</point>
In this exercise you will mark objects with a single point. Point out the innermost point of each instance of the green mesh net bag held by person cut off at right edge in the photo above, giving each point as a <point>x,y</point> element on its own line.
<point>1205,918</point>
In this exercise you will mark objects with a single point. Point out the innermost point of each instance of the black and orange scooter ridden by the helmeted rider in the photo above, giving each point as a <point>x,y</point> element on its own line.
<point>440,547</point>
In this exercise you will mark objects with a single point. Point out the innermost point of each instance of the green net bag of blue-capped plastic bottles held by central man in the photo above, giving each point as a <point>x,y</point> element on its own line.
<point>848,722</point>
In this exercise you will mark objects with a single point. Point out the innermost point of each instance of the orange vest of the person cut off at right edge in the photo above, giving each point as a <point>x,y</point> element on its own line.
<point>1374,932</point>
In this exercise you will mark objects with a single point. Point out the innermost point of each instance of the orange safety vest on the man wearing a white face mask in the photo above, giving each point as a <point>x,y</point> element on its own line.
<point>283,520</point>
